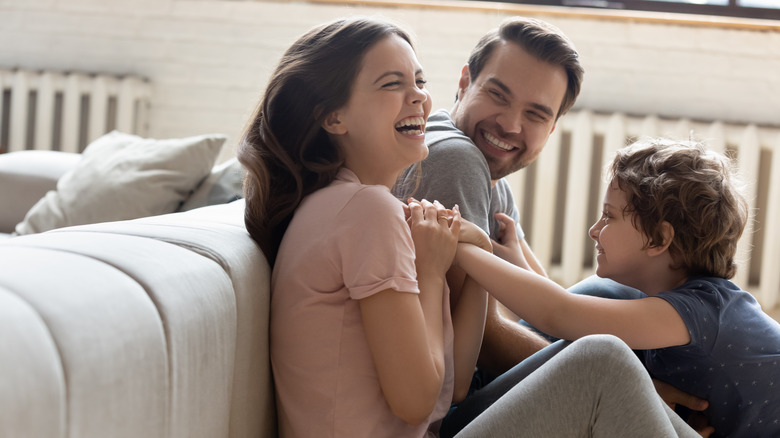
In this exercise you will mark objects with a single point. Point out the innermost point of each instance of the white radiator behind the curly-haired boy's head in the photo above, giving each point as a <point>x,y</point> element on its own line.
<point>560,195</point>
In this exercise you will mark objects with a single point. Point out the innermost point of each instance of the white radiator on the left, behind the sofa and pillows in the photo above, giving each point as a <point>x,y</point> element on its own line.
<point>65,111</point>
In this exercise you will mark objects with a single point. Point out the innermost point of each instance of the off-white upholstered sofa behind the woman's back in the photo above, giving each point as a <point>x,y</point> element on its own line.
<point>152,327</point>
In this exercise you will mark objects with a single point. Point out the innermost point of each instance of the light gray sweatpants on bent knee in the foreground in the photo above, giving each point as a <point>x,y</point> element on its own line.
<point>596,387</point>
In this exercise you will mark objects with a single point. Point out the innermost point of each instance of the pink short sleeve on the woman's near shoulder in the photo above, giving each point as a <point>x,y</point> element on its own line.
<point>375,244</point>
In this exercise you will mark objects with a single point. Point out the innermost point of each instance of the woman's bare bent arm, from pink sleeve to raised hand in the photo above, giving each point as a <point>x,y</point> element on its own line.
<point>405,332</point>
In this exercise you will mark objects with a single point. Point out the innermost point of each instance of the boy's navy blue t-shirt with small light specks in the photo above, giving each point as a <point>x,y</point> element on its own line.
<point>733,359</point>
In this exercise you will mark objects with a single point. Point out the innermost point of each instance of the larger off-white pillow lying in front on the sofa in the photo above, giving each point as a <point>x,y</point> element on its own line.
<point>122,176</point>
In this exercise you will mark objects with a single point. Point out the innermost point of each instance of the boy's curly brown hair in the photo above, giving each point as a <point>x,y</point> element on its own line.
<point>694,189</point>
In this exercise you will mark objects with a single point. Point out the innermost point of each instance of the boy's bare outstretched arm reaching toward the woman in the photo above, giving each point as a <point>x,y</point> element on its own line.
<point>643,323</point>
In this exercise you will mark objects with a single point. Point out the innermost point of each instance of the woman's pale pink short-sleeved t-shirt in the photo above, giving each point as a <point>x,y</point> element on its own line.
<point>346,241</point>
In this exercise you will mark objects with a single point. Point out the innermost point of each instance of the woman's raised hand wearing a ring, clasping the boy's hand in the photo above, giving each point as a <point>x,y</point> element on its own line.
<point>435,233</point>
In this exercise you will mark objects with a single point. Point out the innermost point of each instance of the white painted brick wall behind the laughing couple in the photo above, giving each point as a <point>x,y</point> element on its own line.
<point>208,60</point>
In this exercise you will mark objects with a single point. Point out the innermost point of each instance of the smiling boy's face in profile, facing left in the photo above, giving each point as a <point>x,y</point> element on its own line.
<point>621,248</point>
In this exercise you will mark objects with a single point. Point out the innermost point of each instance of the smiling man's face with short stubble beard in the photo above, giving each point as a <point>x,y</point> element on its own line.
<point>510,109</point>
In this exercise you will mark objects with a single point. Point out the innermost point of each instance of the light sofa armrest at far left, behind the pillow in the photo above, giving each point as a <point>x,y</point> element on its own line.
<point>25,176</point>
